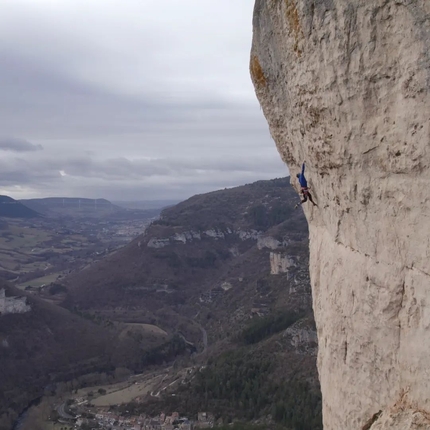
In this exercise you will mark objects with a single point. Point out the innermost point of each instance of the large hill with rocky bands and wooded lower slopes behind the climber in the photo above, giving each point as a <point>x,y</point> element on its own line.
<point>227,270</point>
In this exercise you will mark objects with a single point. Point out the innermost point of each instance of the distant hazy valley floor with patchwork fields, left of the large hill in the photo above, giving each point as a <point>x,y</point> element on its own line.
<point>36,252</point>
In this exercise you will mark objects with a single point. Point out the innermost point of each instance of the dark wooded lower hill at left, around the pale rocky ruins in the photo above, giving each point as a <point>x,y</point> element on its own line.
<point>48,345</point>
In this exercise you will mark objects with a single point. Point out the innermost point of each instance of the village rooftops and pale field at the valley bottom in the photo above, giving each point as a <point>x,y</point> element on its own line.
<point>121,406</point>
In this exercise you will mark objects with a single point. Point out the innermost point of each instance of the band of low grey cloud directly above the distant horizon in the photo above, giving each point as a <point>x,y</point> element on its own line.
<point>121,178</point>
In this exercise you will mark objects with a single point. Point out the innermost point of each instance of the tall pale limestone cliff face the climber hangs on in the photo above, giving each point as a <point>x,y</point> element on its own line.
<point>345,85</point>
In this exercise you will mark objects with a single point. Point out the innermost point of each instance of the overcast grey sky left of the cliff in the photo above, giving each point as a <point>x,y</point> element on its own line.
<point>129,100</point>
